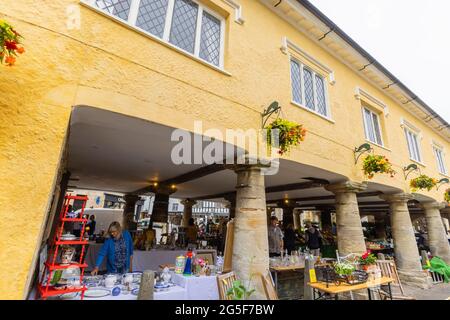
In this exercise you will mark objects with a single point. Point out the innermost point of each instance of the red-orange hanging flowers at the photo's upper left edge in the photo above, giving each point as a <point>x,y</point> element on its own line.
<point>10,44</point>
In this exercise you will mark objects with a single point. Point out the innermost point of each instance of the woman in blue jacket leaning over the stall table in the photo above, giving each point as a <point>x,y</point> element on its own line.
<point>118,249</point>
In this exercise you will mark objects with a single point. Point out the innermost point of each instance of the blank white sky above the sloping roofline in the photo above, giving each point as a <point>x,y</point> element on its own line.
<point>411,38</point>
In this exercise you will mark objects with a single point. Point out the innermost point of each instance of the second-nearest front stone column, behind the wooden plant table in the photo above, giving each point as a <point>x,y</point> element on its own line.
<point>350,235</point>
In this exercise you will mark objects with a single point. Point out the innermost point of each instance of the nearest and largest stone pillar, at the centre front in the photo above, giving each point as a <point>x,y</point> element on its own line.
<point>250,245</point>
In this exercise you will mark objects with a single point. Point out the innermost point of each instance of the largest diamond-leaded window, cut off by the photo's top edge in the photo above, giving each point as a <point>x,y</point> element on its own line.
<point>186,24</point>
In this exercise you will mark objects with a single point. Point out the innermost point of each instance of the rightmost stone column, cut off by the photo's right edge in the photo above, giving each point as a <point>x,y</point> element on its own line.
<point>437,237</point>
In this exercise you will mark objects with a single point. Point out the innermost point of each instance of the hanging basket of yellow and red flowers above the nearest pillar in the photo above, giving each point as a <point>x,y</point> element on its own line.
<point>290,134</point>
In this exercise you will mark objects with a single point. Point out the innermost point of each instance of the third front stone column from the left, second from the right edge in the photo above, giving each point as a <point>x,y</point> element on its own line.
<point>405,246</point>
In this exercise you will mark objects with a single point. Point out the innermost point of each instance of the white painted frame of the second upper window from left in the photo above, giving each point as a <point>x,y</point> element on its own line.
<point>302,104</point>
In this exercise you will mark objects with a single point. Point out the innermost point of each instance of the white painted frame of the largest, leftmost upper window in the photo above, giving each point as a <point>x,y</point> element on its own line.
<point>132,18</point>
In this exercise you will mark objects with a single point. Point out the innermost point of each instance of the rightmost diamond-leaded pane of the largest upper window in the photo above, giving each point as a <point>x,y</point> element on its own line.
<point>210,39</point>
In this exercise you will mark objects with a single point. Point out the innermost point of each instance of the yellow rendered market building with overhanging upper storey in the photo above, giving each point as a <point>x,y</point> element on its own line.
<point>103,84</point>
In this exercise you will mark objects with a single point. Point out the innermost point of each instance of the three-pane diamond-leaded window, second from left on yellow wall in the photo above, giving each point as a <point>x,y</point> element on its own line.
<point>308,88</point>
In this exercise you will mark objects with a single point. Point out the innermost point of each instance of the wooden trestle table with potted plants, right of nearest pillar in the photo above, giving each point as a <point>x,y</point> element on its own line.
<point>333,289</point>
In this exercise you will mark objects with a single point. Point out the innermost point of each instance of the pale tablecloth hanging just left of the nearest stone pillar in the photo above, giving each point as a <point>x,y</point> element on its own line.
<point>198,288</point>
